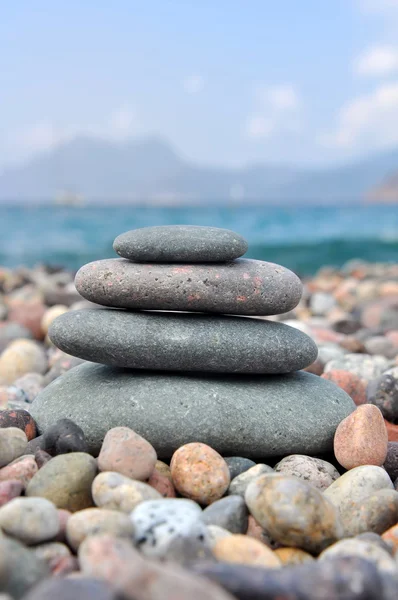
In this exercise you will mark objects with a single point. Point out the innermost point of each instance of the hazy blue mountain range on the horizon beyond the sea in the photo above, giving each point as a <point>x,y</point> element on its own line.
<point>149,170</point>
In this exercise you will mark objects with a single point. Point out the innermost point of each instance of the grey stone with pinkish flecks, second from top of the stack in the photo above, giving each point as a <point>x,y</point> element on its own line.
<point>241,287</point>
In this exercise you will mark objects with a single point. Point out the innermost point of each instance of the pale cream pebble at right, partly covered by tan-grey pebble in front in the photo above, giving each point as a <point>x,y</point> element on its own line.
<point>356,485</point>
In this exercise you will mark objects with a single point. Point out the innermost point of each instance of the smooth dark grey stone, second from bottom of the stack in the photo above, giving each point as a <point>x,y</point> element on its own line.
<point>182,342</point>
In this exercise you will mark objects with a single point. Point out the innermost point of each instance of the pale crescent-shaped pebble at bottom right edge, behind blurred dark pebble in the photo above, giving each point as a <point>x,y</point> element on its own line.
<point>364,549</point>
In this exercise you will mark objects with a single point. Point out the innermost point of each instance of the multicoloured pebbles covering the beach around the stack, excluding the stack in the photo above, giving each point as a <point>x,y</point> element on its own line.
<point>111,526</point>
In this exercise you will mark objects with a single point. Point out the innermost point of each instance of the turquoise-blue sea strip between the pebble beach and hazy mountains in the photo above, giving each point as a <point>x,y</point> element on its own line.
<point>302,238</point>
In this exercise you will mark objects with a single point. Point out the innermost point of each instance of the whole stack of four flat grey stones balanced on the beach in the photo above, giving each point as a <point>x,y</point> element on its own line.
<point>182,359</point>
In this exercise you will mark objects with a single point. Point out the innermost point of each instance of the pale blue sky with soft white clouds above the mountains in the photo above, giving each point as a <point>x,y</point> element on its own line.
<point>225,82</point>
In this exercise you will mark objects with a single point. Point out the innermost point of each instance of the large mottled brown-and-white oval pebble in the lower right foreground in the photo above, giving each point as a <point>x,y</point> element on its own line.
<point>293,512</point>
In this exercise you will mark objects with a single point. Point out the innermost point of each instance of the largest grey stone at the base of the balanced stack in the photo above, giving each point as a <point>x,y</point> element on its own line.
<point>257,416</point>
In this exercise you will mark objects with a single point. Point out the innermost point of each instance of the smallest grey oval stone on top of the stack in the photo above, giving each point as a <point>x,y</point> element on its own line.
<point>180,243</point>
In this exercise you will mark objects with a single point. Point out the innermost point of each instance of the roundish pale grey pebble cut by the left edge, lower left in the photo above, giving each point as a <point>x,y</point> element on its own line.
<point>30,520</point>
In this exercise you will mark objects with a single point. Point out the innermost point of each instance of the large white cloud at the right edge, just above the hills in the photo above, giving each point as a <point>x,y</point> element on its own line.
<point>369,120</point>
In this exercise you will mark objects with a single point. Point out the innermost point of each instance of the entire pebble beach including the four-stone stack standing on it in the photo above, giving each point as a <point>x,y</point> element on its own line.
<point>182,422</point>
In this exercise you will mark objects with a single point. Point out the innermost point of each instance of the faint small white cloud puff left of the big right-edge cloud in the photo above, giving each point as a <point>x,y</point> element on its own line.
<point>276,109</point>
